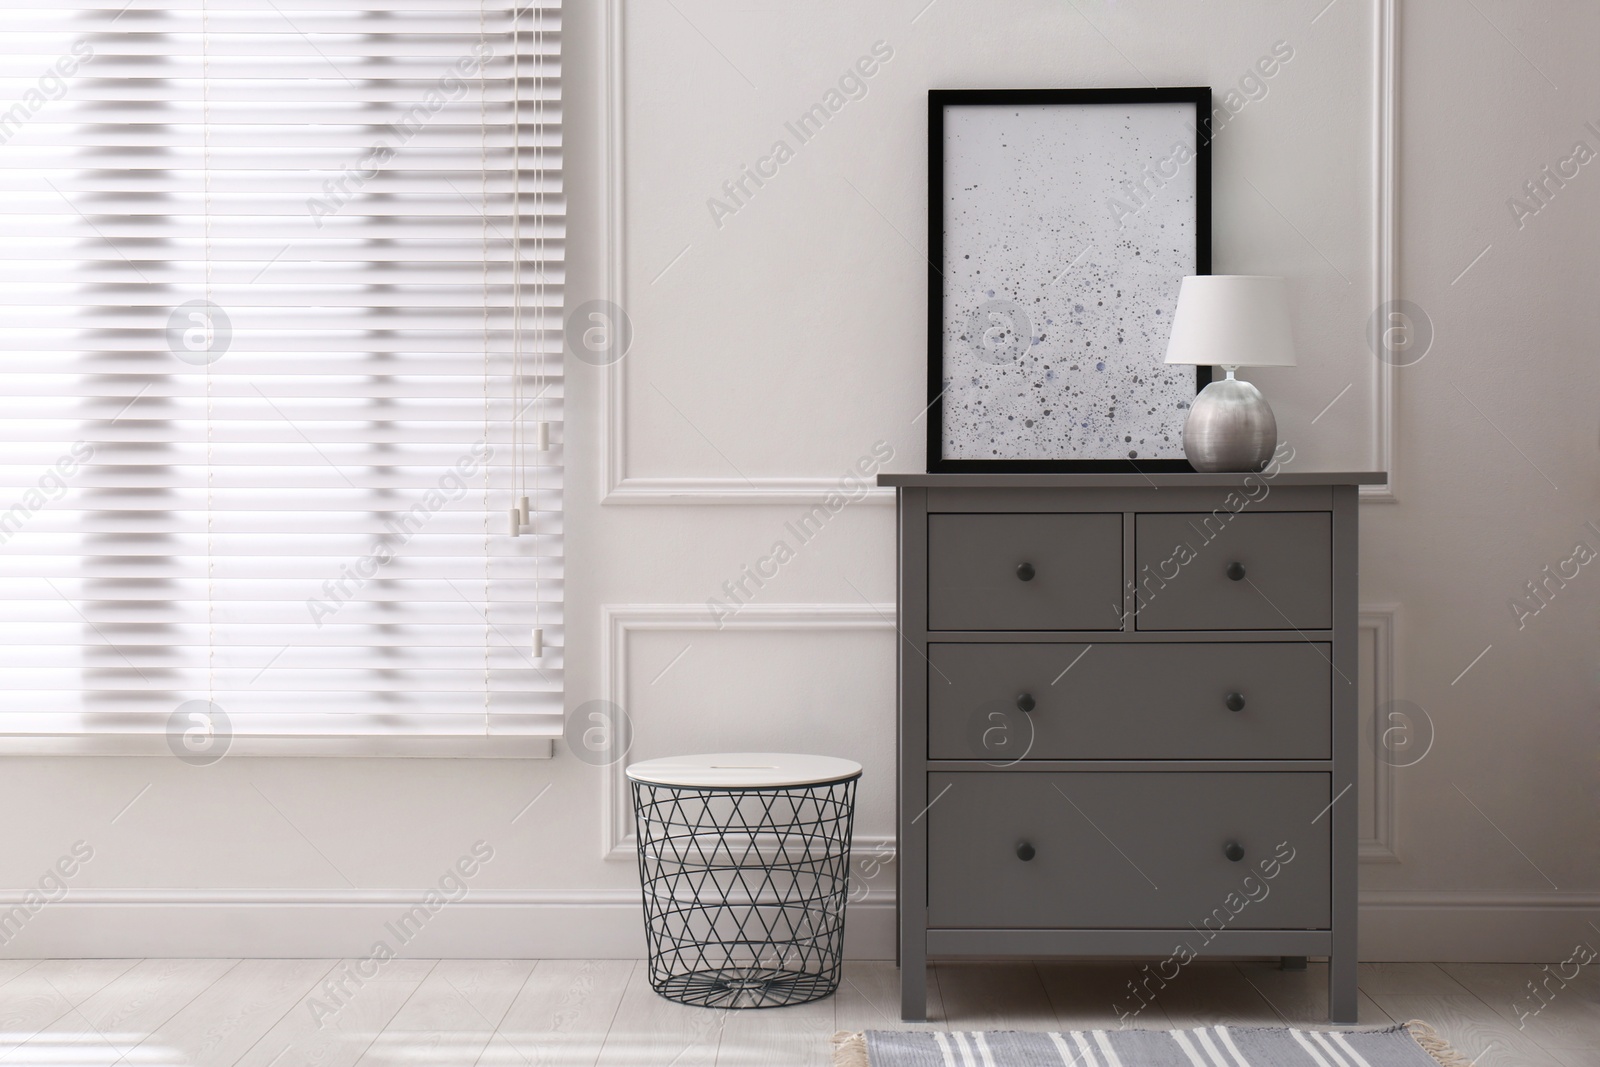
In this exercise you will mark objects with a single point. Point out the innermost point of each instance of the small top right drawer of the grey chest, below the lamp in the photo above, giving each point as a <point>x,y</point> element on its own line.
<point>1222,572</point>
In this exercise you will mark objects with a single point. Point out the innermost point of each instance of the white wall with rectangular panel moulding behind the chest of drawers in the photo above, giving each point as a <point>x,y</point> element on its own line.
<point>782,346</point>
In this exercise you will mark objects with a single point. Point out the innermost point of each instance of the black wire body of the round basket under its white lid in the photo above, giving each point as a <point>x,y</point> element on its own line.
<point>745,892</point>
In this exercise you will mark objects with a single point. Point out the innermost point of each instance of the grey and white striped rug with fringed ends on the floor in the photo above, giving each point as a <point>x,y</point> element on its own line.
<point>1412,1045</point>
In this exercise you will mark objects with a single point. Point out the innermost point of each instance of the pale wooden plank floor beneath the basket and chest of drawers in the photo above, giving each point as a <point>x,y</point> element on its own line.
<point>569,1013</point>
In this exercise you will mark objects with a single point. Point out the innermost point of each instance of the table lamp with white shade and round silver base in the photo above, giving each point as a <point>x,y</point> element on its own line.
<point>1231,321</point>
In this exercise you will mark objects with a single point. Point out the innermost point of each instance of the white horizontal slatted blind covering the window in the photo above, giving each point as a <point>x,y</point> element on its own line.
<point>281,308</point>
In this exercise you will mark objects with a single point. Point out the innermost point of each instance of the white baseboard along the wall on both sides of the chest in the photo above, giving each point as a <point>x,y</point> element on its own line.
<point>1450,927</point>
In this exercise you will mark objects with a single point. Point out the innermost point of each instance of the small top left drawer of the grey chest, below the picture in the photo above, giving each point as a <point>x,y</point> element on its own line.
<point>1009,572</point>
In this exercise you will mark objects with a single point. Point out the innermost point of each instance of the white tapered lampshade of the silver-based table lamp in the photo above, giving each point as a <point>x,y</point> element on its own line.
<point>1233,321</point>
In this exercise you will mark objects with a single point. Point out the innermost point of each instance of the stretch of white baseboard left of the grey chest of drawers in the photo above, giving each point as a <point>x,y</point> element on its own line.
<point>601,925</point>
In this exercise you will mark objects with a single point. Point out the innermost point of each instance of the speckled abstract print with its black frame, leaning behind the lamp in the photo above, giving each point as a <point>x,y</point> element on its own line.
<point>1060,228</point>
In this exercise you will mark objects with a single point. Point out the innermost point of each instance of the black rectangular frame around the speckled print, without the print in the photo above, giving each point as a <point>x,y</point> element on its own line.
<point>938,102</point>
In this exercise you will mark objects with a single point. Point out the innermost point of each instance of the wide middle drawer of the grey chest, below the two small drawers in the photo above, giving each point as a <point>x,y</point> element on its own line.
<point>1130,701</point>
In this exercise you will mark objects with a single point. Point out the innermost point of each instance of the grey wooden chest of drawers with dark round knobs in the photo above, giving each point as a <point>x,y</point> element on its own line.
<point>1129,721</point>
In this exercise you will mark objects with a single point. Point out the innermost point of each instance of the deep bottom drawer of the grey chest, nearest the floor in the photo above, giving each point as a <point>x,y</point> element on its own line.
<point>1129,852</point>
